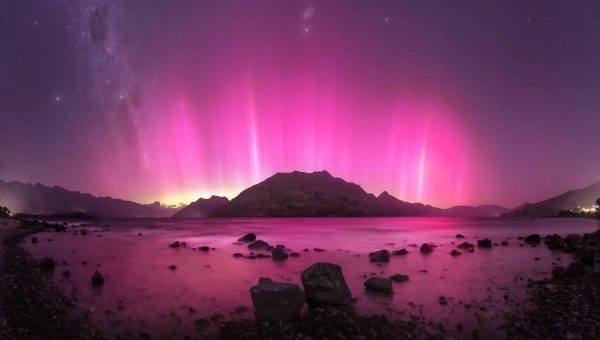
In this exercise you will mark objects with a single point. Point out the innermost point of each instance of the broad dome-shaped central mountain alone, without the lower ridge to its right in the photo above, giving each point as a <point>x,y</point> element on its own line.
<point>302,194</point>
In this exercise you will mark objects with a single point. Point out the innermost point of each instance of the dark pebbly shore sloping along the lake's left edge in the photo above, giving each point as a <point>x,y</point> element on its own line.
<point>31,306</point>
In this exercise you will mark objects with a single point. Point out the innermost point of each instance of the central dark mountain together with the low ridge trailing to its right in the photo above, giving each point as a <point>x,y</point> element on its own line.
<point>321,194</point>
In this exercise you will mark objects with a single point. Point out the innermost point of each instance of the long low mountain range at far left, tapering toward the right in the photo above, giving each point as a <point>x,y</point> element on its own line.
<point>37,199</point>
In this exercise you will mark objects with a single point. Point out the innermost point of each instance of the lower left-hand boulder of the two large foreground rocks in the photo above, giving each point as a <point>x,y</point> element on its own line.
<point>275,301</point>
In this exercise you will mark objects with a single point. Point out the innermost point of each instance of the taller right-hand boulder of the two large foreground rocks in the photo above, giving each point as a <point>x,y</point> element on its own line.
<point>324,284</point>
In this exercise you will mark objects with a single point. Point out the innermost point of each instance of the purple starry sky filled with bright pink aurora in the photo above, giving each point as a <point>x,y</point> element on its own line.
<point>443,102</point>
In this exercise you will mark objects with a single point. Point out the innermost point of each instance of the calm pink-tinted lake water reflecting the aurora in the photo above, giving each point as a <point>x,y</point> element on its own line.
<point>141,294</point>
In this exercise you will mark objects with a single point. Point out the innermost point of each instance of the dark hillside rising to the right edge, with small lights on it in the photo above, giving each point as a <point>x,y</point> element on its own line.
<point>570,200</point>
